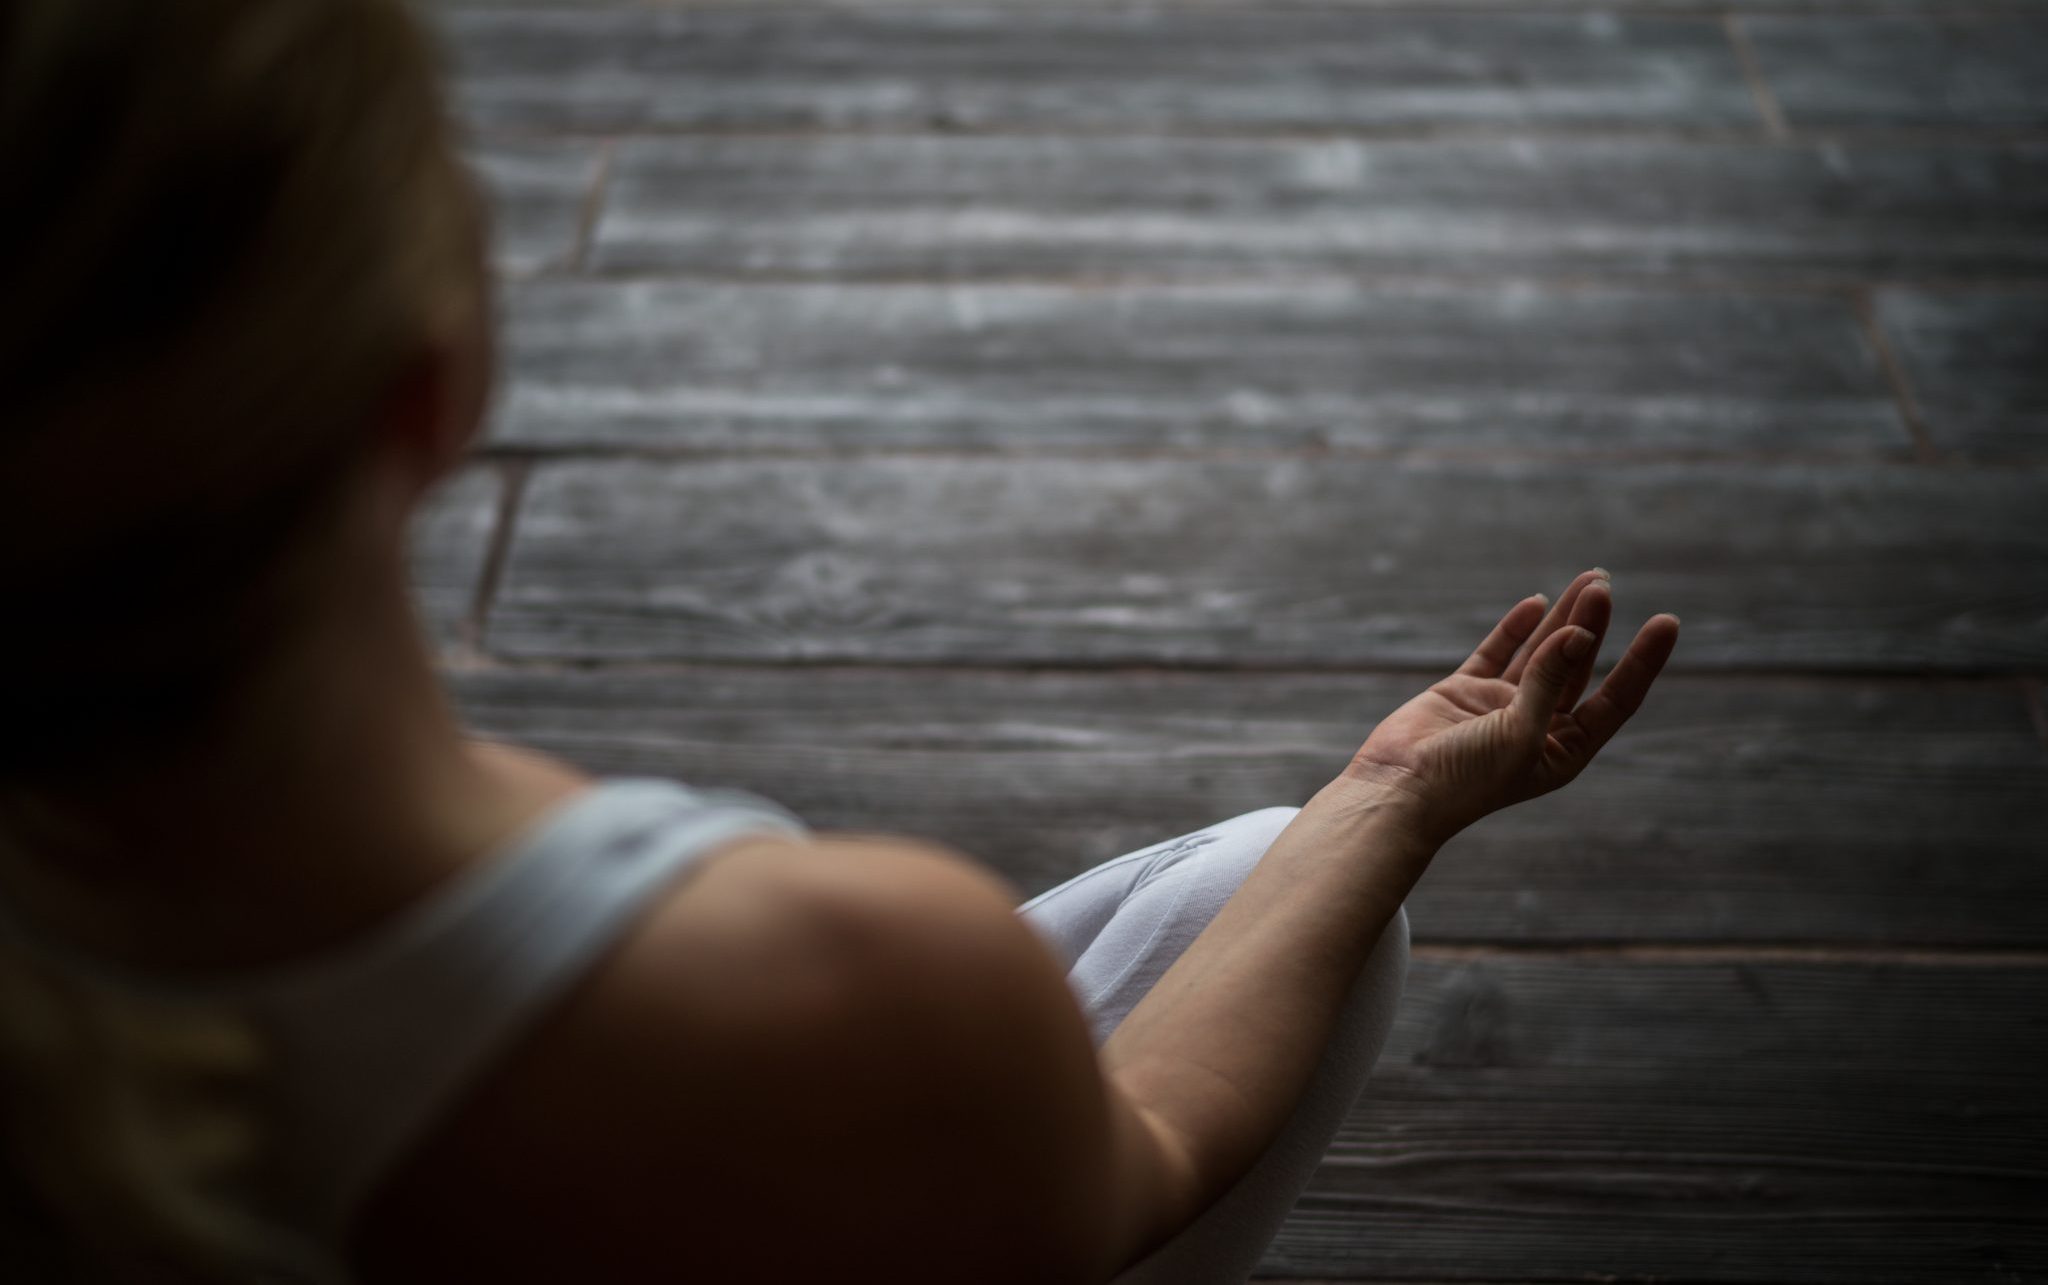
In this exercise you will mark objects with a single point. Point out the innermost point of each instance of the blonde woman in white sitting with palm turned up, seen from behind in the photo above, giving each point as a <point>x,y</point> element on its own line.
<point>302,983</point>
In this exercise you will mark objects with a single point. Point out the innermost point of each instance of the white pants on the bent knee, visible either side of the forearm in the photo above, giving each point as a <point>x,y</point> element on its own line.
<point>1121,925</point>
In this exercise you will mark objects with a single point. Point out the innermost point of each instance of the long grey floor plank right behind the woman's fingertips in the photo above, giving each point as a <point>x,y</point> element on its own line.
<point>1293,561</point>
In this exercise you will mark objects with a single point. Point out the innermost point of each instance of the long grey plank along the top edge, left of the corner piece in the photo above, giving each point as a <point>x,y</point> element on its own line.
<point>1091,69</point>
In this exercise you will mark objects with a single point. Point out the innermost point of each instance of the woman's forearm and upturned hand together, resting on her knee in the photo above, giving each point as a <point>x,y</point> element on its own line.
<point>1226,1042</point>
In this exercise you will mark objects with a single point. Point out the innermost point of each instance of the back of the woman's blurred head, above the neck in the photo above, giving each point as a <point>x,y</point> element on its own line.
<point>228,222</point>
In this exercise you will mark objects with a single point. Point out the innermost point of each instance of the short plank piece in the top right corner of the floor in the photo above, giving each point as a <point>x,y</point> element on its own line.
<point>1986,71</point>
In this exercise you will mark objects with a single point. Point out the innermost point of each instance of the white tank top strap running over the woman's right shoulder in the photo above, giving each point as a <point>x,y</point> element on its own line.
<point>384,1040</point>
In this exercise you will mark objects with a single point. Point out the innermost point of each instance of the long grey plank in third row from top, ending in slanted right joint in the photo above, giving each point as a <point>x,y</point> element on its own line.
<point>658,364</point>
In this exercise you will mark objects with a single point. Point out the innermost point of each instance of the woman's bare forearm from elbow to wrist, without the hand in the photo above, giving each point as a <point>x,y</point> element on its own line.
<point>1224,1044</point>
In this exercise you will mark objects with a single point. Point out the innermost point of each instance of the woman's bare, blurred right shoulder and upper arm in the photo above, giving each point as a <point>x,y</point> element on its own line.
<point>798,1061</point>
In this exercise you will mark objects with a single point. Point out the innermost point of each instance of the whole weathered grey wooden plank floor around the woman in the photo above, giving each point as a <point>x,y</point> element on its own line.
<point>1056,429</point>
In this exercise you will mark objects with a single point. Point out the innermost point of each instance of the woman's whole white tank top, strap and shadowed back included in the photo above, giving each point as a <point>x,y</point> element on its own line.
<point>364,1046</point>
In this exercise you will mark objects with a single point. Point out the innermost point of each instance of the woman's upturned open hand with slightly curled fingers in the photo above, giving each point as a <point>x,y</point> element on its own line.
<point>1504,727</point>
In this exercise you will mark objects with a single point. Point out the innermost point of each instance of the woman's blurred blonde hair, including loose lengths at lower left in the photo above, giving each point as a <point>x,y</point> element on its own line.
<point>230,226</point>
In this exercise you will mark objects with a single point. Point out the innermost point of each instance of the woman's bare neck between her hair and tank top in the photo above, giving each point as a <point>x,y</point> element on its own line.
<point>351,792</point>
